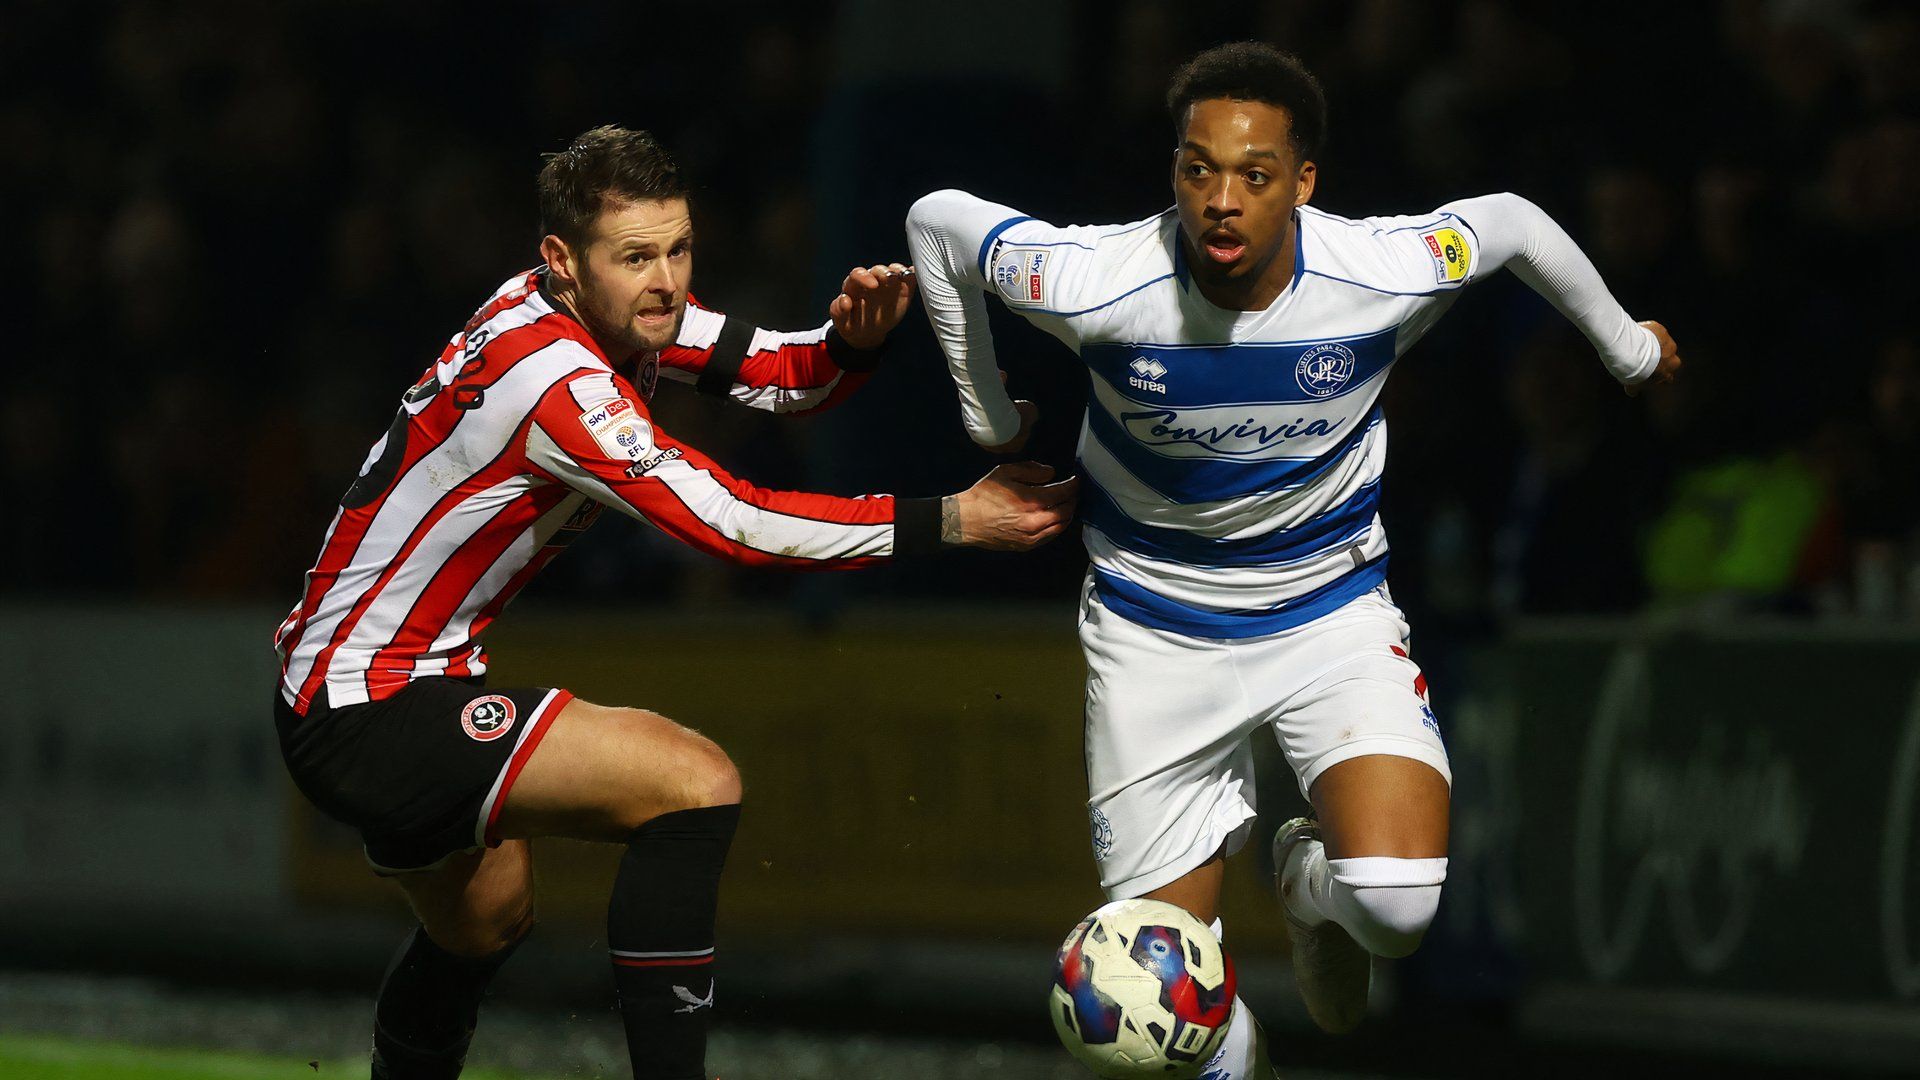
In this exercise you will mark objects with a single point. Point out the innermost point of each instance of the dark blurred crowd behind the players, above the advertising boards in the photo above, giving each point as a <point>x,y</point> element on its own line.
<point>247,228</point>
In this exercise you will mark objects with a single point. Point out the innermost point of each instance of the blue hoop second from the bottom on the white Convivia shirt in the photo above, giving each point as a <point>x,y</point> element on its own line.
<point>1308,539</point>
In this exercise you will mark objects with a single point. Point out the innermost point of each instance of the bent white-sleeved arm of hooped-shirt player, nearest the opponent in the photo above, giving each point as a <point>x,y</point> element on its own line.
<point>948,233</point>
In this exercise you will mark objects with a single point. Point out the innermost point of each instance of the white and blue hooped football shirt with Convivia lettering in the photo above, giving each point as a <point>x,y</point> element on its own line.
<point>1234,458</point>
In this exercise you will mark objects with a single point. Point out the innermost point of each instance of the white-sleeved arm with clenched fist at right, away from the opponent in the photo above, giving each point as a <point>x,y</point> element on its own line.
<point>1520,235</point>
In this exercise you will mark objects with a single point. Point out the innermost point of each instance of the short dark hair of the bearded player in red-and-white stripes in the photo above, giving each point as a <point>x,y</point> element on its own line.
<point>604,164</point>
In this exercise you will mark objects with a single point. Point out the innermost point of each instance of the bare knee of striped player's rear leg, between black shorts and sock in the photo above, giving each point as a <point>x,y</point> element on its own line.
<point>477,902</point>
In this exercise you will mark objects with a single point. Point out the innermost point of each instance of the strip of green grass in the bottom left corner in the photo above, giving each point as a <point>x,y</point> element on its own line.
<point>37,1058</point>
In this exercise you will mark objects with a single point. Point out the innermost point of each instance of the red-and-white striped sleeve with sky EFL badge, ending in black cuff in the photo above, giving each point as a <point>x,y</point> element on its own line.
<point>596,437</point>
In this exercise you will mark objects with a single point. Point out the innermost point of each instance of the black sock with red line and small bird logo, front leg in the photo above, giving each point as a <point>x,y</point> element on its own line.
<point>661,937</point>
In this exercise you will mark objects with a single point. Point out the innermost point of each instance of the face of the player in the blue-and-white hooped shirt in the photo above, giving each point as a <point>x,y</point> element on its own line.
<point>1237,184</point>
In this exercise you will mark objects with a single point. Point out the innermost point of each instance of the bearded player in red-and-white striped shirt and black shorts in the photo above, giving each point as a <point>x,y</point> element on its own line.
<point>535,420</point>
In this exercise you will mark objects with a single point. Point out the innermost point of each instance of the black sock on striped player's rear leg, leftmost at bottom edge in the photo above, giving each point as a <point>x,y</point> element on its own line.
<point>427,1010</point>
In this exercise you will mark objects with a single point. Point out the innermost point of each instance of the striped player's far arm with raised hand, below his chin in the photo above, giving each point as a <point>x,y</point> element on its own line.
<point>794,372</point>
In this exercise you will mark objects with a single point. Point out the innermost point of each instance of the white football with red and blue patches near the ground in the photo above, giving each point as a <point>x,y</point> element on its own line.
<point>1143,989</point>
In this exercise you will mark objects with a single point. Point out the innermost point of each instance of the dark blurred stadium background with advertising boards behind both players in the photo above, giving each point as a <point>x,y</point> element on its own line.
<point>1675,643</point>
